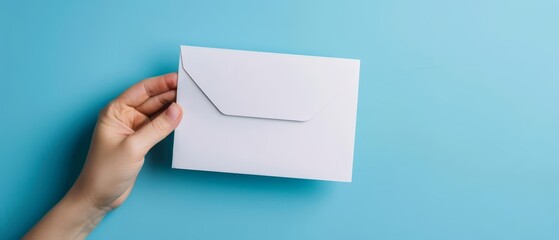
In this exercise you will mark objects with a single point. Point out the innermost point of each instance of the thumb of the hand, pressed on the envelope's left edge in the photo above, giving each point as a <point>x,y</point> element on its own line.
<point>156,130</point>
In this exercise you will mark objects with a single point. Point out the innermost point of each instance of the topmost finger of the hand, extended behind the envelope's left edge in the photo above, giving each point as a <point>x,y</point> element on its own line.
<point>142,91</point>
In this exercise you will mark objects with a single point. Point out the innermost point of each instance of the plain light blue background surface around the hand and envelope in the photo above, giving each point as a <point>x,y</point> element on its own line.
<point>457,131</point>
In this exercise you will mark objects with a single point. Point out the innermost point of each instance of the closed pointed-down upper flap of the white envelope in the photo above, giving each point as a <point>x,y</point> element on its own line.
<point>265,85</point>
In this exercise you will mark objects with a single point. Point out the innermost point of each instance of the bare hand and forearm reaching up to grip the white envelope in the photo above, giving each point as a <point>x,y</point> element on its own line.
<point>127,128</point>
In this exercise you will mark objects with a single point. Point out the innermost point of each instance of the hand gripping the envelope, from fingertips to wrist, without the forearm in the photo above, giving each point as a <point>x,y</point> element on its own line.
<point>126,130</point>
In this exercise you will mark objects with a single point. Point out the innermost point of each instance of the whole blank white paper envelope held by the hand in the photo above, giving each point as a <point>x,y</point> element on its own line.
<point>266,113</point>
